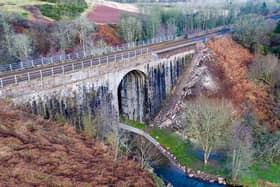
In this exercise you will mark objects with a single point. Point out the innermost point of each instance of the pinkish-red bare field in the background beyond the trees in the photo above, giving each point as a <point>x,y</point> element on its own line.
<point>104,14</point>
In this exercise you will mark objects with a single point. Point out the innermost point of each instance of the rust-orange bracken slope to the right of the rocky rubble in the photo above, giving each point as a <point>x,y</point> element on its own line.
<point>232,69</point>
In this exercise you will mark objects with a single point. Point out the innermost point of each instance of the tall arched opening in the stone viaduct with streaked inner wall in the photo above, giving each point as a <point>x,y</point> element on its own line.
<point>132,96</point>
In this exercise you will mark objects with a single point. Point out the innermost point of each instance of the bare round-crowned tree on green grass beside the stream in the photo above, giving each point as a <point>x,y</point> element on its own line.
<point>206,121</point>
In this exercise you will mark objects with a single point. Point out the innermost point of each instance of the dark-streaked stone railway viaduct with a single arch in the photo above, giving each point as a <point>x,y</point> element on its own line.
<point>135,87</point>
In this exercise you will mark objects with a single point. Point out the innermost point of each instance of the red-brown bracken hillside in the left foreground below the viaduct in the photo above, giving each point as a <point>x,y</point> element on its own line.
<point>36,152</point>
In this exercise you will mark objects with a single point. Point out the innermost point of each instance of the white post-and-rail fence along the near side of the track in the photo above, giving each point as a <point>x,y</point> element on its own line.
<point>70,67</point>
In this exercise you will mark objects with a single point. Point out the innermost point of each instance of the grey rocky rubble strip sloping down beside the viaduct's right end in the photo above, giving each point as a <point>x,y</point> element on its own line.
<point>196,78</point>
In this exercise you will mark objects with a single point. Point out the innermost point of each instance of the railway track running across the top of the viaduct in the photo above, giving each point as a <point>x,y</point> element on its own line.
<point>40,72</point>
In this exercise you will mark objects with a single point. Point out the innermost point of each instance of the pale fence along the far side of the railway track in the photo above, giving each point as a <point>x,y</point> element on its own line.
<point>80,54</point>
